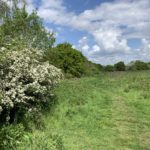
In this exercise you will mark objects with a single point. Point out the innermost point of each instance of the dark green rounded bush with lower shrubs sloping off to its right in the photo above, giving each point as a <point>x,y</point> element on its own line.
<point>71,61</point>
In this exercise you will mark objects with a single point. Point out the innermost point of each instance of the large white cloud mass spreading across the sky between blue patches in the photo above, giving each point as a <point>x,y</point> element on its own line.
<point>111,24</point>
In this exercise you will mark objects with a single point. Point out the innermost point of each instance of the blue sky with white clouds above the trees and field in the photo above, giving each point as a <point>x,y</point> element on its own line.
<point>105,31</point>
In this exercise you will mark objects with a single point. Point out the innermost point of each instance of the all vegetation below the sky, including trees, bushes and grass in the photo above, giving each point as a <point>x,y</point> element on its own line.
<point>53,98</point>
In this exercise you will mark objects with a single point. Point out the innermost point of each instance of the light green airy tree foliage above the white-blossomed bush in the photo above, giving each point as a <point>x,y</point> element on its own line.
<point>26,28</point>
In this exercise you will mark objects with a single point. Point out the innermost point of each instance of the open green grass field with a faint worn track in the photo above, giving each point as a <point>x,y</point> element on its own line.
<point>108,112</point>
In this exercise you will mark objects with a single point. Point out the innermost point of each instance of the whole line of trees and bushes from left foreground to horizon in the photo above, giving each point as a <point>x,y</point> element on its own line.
<point>31,65</point>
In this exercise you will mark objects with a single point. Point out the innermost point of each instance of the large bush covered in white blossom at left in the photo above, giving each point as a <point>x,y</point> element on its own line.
<point>26,83</point>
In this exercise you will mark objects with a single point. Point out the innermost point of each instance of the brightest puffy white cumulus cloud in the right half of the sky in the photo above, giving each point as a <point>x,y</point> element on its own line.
<point>110,40</point>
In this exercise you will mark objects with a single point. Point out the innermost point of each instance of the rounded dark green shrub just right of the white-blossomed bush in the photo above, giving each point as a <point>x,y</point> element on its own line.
<point>68,59</point>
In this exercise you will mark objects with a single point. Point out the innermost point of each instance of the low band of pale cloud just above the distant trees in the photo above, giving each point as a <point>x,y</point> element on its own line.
<point>96,55</point>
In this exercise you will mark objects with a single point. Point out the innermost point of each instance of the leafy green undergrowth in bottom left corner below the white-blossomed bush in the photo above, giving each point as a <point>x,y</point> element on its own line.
<point>11,136</point>
